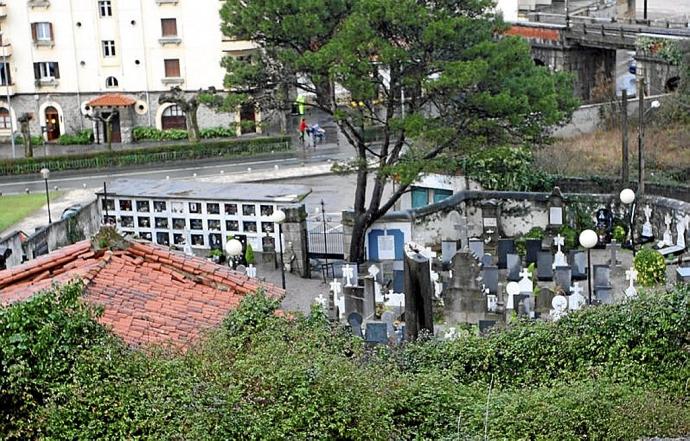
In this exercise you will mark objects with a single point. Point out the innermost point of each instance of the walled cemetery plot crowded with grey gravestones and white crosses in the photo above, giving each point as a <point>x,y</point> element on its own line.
<point>488,258</point>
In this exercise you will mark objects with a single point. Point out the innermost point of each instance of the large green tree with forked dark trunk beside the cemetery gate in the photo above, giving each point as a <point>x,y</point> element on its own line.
<point>437,77</point>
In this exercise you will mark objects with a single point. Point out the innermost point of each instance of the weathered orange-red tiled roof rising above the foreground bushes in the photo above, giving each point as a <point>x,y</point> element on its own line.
<point>149,293</point>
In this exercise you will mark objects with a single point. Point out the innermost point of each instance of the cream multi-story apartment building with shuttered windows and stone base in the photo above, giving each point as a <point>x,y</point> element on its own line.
<point>60,57</point>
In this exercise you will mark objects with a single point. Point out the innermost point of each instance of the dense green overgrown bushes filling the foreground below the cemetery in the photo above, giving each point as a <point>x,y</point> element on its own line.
<point>609,372</point>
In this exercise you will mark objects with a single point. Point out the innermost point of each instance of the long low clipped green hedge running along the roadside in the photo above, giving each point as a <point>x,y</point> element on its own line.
<point>121,158</point>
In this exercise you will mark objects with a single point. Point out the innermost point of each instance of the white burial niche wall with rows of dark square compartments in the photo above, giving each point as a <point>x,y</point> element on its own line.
<point>201,215</point>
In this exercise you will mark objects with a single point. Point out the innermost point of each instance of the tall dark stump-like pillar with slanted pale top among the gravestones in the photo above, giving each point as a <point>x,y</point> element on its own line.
<point>418,291</point>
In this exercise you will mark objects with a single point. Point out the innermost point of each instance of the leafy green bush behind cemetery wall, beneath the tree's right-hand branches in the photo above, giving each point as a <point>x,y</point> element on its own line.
<point>507,168</point>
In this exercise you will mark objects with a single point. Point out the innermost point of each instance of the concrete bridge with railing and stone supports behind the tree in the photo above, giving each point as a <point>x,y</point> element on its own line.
<point>586,46</point>
